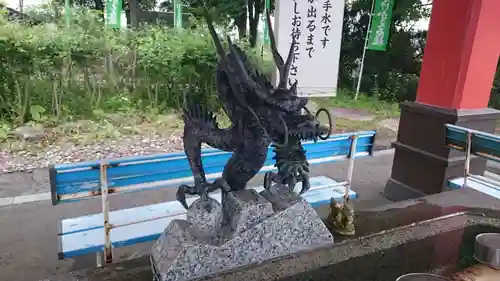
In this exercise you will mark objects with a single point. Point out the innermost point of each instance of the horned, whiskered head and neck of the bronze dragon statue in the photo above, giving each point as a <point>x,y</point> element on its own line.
<point>283,111</point>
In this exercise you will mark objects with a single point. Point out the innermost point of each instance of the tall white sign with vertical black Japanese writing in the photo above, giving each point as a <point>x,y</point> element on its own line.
<point>316,26</point>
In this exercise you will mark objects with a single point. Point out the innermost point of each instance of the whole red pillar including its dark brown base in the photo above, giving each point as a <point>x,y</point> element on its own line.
<point>459,64</point>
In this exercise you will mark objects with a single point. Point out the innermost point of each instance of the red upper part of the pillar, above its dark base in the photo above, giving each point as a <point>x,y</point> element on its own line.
<point>461,54</point>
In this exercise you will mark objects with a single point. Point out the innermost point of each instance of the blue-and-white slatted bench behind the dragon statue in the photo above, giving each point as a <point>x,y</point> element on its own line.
<point>100,233</point>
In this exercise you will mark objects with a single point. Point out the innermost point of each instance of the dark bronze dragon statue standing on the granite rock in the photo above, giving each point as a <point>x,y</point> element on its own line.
<point>260,115</point>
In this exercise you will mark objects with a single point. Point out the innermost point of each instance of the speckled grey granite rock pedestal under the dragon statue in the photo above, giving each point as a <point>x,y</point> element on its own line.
<point>247,228</point>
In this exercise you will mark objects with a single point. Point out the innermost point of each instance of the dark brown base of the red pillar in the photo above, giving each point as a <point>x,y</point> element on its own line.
<point>422,164</point>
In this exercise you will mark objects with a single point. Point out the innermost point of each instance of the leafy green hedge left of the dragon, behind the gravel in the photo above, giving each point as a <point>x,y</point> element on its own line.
<point>50,72</point>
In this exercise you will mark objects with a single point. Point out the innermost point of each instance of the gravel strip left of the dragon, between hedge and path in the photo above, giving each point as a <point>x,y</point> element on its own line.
<point>23,161</point>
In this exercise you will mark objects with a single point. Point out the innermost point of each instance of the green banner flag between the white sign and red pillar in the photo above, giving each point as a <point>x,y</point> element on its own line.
<point>380,25</point>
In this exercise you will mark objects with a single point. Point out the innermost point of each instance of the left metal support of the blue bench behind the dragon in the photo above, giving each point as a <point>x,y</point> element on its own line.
<point>108,251</point>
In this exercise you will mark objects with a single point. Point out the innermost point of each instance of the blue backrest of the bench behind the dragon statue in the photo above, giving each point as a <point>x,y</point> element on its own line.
<point>74,182</point>
